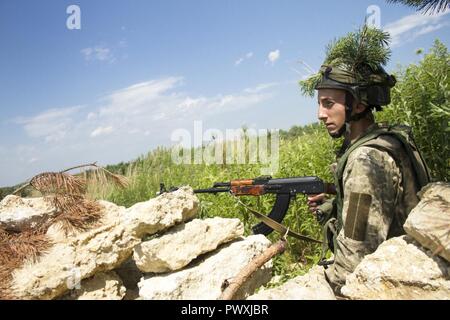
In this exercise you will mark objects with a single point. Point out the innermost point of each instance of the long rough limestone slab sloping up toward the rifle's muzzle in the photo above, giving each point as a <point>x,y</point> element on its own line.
<point>101,249</point>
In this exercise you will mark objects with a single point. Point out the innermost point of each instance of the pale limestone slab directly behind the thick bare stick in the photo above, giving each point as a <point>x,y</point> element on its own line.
<point>204,278</point>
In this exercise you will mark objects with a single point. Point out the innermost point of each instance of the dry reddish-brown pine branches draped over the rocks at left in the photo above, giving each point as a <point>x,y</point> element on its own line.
<point>66,192</point>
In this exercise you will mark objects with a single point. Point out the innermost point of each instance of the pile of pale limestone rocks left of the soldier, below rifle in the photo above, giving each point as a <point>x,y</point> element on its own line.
<point>186,257</point>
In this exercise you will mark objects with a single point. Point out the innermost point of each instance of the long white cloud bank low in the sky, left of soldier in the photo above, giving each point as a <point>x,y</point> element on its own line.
<point>140,107</point>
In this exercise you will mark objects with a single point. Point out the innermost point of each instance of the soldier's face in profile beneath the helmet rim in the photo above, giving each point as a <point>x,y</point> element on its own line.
<point>331,109</point>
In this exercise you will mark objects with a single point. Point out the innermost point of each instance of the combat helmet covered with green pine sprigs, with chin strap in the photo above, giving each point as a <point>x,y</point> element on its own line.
<point>354,63</point>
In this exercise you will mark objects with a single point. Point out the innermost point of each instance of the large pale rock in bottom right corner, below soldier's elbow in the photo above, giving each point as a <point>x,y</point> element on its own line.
<point>399,269</point>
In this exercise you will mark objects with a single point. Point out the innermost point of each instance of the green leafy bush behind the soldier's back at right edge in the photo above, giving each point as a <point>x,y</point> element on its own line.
<point>420,99</point>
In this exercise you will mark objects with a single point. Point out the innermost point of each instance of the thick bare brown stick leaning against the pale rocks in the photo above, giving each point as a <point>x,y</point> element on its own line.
<point>231,287</point>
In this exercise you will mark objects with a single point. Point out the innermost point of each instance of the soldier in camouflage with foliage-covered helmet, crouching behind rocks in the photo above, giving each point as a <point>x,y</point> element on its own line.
<point>379,170</point>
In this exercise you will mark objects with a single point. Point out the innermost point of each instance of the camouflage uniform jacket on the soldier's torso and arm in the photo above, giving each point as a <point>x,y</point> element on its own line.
<point>378,193</point>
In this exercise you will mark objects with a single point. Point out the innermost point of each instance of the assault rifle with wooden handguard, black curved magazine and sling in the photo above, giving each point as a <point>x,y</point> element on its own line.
<point>285,189</point>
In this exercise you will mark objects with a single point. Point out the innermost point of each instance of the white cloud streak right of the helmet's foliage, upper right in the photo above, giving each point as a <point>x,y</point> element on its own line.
<point>410,27</point>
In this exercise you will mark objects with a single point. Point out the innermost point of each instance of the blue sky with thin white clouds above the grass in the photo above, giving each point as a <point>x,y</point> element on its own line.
<point>138,70</point>
